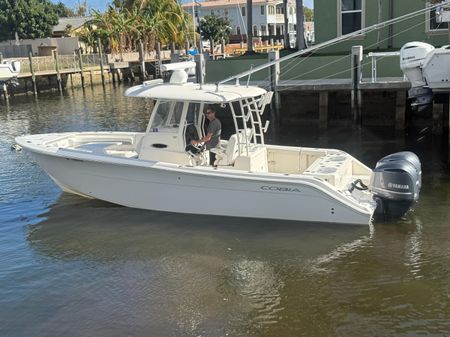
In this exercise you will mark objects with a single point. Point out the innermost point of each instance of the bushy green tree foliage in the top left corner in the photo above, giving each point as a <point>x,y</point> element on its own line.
<point>31,19</point>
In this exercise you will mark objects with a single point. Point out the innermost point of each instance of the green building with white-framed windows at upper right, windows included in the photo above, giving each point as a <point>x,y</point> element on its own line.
<point>335,18</point>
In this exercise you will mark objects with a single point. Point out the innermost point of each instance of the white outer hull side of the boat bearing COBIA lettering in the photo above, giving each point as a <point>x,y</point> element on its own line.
<point>186,190</point>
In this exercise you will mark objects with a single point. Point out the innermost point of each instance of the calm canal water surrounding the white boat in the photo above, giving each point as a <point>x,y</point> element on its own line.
<point>76,267</point>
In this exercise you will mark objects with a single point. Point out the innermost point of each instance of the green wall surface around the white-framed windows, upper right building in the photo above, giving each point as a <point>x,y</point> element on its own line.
<point>326,25</point>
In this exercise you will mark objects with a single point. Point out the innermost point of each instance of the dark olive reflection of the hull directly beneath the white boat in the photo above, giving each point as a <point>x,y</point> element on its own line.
<point>86,227</point>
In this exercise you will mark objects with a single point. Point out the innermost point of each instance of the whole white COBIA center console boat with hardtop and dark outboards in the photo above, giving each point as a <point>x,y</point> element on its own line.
<point>158,170</point>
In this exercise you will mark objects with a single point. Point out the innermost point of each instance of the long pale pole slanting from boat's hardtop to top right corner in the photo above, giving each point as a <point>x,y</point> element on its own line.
<point>333,41</point>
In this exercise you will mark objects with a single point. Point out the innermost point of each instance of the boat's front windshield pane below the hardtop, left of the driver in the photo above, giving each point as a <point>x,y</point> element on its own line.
<point>167,117</point>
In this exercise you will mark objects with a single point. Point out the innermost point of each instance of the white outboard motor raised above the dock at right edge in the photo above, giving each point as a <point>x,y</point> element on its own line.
<point>427,68</point>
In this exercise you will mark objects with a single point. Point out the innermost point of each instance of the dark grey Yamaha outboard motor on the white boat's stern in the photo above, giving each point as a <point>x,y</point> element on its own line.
<point>395,184</point>
